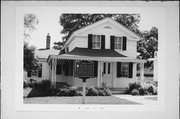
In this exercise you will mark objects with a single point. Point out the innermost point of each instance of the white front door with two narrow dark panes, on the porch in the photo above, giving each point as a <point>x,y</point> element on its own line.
<point>107,74</point>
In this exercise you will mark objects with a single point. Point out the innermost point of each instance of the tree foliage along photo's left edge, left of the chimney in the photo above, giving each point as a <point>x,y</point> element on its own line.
<point>30,62</point>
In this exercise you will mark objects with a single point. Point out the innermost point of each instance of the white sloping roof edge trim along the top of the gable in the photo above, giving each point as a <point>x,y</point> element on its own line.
<point>99,23</point>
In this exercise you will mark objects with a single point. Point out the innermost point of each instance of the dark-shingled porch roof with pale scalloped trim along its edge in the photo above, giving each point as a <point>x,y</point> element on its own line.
<point>95,55</point>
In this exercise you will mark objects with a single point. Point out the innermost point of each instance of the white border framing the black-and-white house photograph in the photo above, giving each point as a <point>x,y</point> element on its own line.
<point>20,106</point>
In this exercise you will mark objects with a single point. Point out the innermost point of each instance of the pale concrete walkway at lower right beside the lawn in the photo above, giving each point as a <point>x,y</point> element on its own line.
<point>144,100</point>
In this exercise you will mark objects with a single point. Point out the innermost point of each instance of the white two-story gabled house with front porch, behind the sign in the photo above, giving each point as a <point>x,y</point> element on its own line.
<point>112,48</point>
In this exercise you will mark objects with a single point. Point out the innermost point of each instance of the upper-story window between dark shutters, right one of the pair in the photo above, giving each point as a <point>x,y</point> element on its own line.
<point>118,43</point>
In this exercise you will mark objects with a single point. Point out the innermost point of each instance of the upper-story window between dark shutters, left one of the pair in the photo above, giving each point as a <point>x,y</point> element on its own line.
<point>96,41</point>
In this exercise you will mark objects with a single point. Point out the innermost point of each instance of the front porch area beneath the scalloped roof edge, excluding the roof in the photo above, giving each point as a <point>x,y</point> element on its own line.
<point>62,70</point>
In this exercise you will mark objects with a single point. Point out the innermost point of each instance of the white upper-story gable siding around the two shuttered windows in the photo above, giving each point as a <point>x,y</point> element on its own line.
<point>82,39</point>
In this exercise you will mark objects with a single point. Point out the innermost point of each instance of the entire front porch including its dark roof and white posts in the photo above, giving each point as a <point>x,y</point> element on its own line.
<point>110,67</point>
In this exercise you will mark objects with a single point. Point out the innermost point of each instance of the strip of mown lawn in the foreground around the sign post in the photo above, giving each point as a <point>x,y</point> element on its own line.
<point>77,100</point>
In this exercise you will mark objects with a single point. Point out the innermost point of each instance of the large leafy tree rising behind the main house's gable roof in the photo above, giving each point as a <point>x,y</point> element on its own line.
<point>73,22</point>
